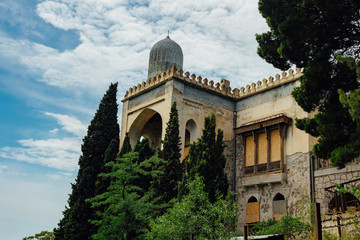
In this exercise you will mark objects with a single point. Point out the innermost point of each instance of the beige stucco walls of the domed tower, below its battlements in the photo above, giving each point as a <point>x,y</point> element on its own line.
<point>191,105</point>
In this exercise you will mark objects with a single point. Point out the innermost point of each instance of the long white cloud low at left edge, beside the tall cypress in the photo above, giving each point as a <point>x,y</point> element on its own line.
<point>54,153</point>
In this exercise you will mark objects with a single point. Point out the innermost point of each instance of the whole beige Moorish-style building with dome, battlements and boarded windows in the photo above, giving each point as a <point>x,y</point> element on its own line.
<point>268,158</point>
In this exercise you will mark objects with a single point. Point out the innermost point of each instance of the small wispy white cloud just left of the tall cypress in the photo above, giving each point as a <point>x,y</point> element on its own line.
<point>69,124</point>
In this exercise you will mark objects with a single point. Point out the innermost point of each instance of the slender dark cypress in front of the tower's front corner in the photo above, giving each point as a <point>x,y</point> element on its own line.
<point>166,185</point>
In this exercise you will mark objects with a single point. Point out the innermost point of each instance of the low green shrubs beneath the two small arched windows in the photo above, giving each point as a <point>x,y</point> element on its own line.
<point>290,227</point>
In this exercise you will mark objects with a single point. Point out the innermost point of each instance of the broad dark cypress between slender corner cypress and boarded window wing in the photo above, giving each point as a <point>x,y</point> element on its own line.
<point>206,158</point>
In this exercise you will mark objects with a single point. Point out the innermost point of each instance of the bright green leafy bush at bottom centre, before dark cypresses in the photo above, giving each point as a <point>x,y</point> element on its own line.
<point>195,216</point>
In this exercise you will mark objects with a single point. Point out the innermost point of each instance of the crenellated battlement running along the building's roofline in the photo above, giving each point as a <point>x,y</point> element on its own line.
<point>222,88</point>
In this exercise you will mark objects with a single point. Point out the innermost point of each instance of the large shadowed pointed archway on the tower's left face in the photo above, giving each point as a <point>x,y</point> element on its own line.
<point>149,125</point>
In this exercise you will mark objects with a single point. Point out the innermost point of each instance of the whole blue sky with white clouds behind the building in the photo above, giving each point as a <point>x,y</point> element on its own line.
<point>57,59</point>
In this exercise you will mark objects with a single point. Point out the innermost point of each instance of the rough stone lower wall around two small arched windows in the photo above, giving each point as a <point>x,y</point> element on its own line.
<point>293,184</point>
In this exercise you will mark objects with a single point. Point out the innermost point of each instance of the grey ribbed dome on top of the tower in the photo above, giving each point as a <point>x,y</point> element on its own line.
<point>163,55</point>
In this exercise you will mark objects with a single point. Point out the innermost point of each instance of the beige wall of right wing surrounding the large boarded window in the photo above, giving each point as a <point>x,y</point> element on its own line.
<point>294,182</point>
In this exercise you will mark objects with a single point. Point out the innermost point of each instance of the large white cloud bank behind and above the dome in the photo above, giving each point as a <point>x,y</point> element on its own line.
<point>217,38</point>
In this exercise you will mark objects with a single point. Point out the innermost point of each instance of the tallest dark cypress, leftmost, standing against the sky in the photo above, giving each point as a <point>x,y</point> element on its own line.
<point>102,130</point>
